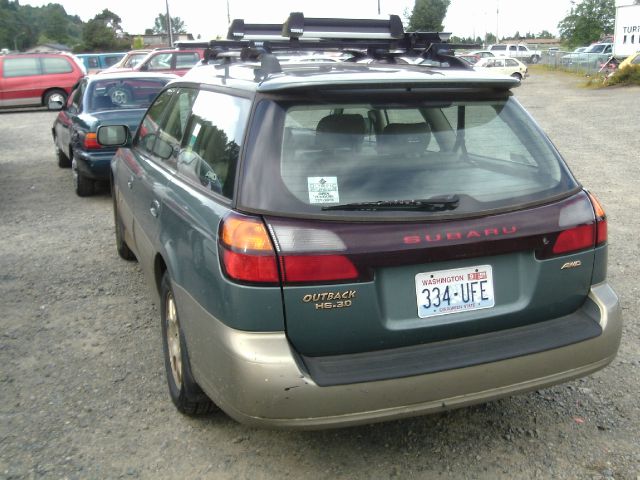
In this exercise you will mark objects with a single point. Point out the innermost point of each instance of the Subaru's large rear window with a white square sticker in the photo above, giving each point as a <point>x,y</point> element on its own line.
<point>488,153</point>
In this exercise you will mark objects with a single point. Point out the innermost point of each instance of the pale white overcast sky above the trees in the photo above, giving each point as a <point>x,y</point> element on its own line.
<point>209,18</point>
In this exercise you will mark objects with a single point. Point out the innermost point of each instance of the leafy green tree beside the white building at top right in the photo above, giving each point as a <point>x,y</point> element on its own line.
<point>587,22</point>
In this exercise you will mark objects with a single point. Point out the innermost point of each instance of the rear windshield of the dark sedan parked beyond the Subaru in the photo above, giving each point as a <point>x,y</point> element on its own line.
<point>123,93</point>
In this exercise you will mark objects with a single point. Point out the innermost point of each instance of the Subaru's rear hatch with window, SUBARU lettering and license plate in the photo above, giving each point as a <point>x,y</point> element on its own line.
<point>404,220</point>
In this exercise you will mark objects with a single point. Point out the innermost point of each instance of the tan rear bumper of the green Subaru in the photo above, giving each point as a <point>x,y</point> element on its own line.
<point>257,379</point>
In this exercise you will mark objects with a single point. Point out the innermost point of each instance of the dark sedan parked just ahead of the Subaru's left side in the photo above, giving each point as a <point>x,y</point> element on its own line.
<point>117,98</point>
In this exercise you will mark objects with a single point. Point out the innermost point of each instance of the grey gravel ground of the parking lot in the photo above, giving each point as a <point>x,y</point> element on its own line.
<point>82,388</point>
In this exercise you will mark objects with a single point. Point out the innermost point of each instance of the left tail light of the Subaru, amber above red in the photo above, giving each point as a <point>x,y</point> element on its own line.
<point>248,256</point>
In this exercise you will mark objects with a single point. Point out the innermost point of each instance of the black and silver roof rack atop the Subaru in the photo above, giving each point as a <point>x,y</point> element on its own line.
<point>361,38</point>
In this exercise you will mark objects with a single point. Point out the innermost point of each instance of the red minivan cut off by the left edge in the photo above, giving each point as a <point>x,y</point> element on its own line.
<point>33,79</point>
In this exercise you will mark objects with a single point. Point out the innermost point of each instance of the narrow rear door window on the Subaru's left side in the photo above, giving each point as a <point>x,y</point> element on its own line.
<point>173,126</point>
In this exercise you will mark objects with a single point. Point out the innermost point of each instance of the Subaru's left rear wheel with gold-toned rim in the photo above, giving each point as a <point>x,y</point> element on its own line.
<point>185,393</point>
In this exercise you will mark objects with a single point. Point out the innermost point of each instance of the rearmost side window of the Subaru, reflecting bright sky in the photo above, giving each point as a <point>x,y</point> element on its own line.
<point>212,142</point>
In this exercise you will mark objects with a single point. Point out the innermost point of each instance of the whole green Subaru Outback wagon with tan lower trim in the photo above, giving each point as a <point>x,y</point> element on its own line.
<point>341,243</point>
